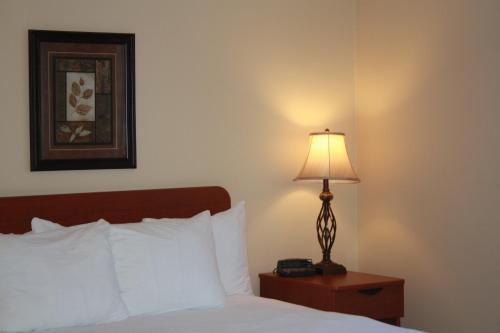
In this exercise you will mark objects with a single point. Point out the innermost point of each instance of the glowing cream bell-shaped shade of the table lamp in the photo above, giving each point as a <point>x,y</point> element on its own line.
<point>328,159</point>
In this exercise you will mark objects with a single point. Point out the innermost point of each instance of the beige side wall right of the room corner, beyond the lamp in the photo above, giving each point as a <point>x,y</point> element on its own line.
<point>428,78</point>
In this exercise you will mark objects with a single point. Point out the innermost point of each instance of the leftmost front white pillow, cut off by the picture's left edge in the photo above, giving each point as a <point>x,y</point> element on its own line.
<point>58,278</point>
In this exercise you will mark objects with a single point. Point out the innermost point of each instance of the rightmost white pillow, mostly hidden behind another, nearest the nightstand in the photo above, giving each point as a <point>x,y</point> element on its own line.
<point>229,229</point>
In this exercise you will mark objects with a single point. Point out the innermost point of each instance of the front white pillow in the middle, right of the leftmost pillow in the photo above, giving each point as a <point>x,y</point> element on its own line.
<point>164,267</point>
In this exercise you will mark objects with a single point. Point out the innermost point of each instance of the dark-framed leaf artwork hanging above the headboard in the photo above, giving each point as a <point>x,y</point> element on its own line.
<point>82,100</point>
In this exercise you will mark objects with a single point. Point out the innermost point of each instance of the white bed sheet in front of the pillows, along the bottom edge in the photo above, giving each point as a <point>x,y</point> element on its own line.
<point>245,314</point>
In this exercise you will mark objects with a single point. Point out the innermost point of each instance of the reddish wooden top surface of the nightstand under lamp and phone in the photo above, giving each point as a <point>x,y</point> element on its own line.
<point>351,280</point>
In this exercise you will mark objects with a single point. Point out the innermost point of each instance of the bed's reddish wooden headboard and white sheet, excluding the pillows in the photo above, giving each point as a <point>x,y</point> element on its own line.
<point>241,313</point>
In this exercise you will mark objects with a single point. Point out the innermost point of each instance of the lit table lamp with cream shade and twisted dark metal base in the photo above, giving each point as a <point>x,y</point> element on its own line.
<point>327,160</point>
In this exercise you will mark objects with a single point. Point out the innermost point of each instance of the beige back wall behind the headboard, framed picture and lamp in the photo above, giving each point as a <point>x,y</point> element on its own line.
<point>227,92</point>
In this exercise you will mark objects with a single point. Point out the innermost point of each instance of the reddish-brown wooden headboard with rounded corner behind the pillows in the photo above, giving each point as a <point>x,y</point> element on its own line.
<point>115,207</point>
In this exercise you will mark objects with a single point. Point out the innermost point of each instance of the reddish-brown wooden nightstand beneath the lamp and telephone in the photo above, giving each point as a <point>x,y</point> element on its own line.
<point>374,296</point>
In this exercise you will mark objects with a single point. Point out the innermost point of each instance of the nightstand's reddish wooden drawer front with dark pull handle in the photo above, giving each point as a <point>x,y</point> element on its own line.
<point>378,302</point>
